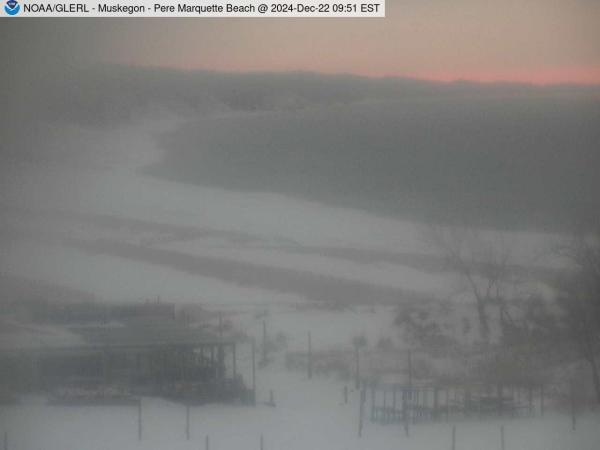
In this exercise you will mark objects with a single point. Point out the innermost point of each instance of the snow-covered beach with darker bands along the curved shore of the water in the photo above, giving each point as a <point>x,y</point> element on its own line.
<point>107,196</point>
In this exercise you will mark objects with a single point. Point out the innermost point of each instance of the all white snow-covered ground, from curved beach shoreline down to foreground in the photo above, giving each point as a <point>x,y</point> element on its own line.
<point>106,228</point>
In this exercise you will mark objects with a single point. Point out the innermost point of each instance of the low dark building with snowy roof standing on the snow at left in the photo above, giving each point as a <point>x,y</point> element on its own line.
<point>142,356</point>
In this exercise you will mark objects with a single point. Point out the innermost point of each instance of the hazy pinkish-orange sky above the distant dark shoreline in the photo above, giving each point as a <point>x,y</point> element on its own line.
<point>533,41</point>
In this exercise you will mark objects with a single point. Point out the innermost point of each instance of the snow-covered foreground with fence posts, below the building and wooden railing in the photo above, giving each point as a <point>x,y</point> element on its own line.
<point>308,415</point>
